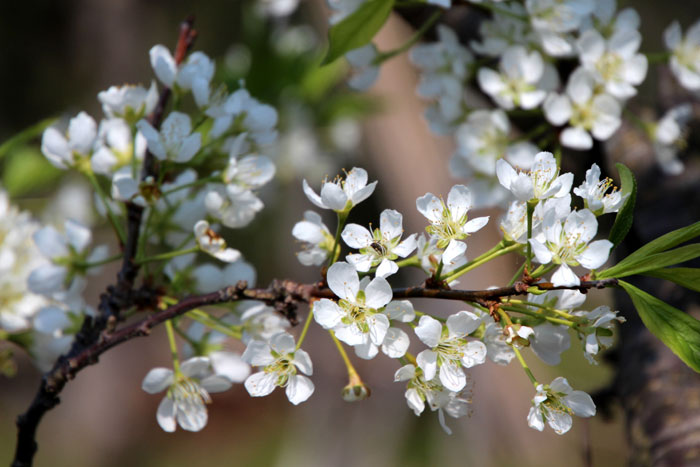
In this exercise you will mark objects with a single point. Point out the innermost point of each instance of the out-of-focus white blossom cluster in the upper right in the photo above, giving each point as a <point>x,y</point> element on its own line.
<point>586,104</point>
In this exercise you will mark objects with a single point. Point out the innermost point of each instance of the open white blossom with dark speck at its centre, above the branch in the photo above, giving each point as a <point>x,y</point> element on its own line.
<point>380,247</point>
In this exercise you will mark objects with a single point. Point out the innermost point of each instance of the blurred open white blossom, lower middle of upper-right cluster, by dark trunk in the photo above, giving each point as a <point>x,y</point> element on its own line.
<point>584,111</point>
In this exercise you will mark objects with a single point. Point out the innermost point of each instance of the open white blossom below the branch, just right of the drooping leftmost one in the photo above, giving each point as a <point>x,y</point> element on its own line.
<point>280,361</point>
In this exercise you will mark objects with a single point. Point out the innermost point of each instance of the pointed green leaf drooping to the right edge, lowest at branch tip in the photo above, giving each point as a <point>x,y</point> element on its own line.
<point>678,330</point>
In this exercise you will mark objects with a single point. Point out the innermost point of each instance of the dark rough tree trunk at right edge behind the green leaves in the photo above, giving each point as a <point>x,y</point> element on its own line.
<point>659,394</point>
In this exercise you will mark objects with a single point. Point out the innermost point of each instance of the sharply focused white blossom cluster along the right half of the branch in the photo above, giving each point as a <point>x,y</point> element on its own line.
<point>366,316</point>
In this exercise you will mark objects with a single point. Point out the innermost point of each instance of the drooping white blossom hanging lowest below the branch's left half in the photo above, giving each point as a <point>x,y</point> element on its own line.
<point>188,392</point>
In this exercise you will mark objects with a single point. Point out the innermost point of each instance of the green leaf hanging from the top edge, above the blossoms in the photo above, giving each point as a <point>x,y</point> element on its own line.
<point>357,29</point>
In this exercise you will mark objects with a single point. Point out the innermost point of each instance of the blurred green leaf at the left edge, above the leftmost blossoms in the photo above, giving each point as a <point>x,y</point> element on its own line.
<point>26,171</point>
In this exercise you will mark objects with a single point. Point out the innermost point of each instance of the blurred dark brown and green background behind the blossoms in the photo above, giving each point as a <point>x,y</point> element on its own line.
<point>56,57</point>
